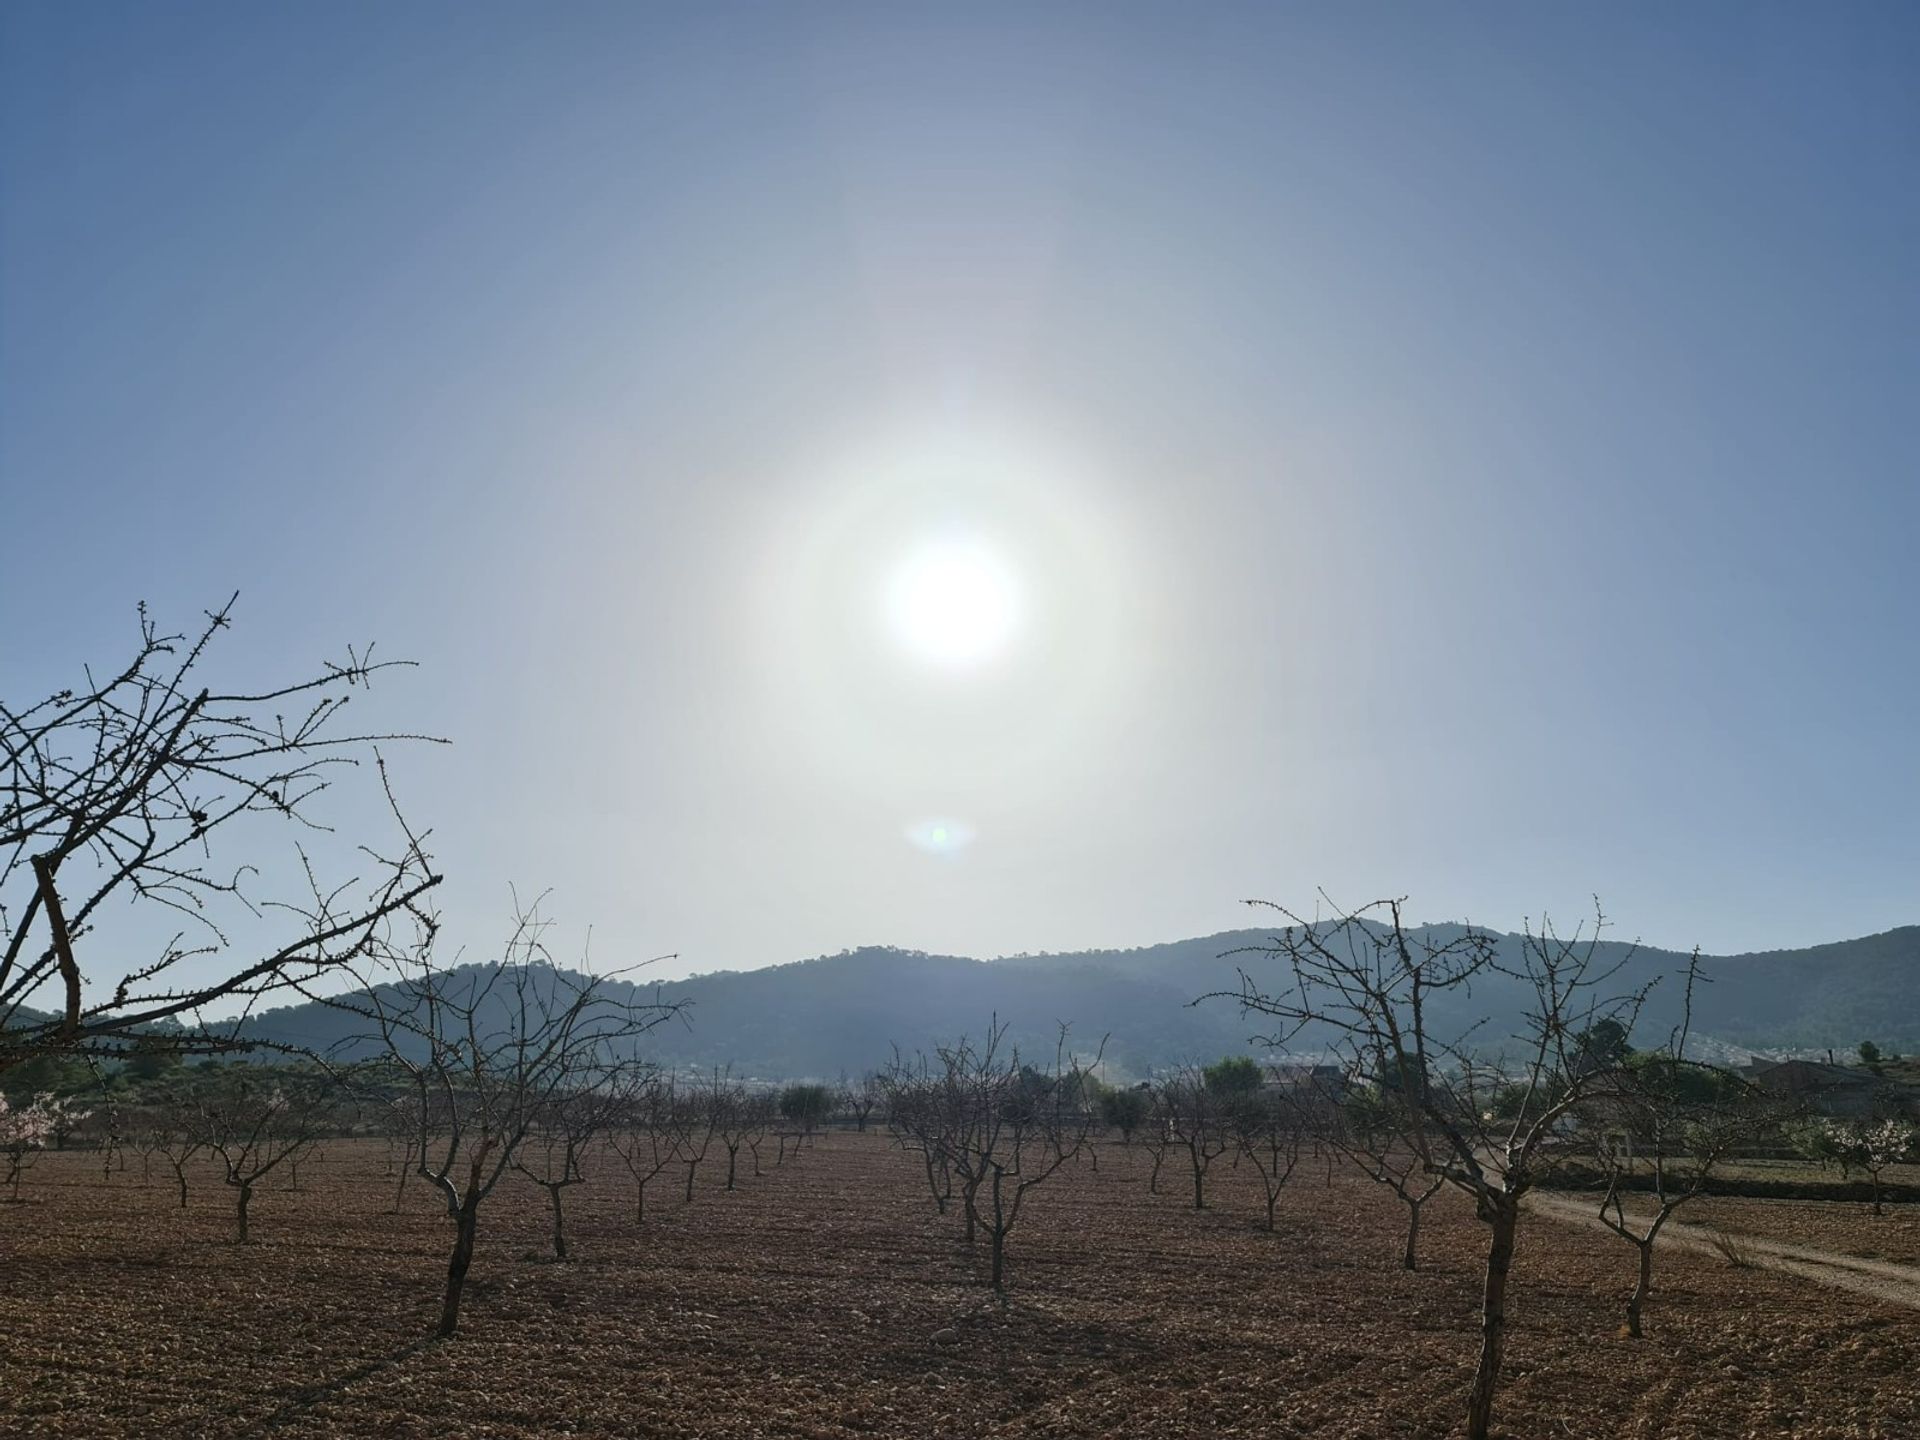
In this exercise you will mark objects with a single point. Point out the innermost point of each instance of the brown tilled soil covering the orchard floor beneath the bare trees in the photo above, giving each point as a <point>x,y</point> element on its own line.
<point>827,1299</point>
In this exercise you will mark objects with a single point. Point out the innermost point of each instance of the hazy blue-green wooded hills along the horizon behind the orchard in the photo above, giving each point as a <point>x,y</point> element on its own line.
<point>848,1011</point>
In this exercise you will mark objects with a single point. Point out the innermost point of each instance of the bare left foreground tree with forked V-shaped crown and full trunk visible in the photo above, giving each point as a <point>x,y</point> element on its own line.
<point>489,1049</point>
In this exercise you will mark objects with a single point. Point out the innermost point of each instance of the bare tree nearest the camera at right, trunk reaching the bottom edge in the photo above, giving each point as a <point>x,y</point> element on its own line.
<point>1485,1120</point>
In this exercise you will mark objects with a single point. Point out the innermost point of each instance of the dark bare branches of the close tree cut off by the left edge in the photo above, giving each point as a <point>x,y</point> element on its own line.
<point>116,792</point>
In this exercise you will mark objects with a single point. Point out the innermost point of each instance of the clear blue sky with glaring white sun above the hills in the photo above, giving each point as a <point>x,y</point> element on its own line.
<point>1401,450</point>
